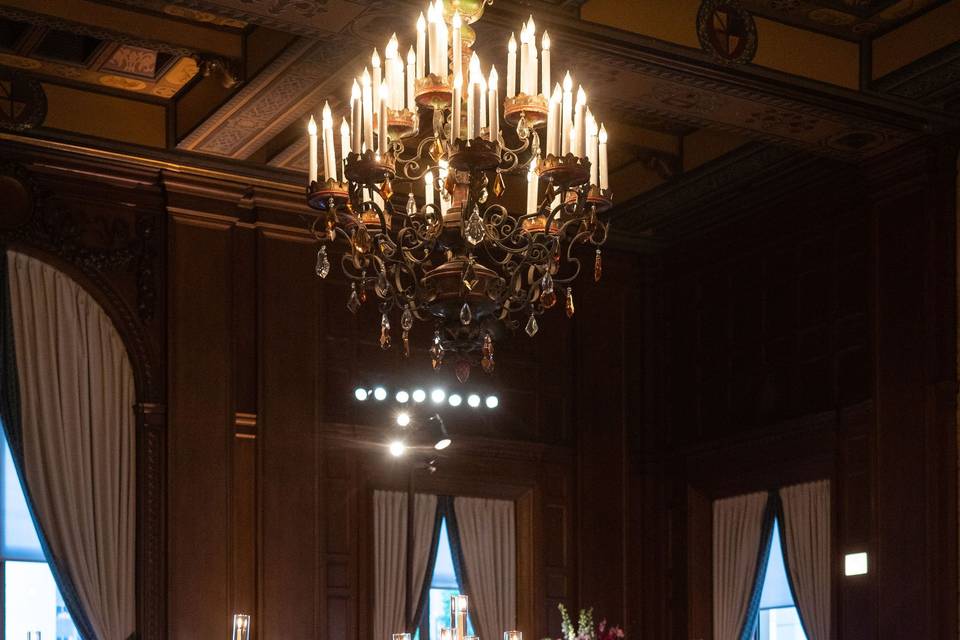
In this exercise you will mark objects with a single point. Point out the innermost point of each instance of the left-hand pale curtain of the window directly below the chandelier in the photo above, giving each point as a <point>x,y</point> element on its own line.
<point>390,556</point>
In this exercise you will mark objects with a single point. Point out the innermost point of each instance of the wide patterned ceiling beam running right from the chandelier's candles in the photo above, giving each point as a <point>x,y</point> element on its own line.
<point>642,77</point>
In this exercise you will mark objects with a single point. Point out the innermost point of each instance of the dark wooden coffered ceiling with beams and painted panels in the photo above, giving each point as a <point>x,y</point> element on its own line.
<point>236,80</point>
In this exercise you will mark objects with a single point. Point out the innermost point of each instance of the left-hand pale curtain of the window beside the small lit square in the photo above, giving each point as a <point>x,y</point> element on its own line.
<point>737,533</point>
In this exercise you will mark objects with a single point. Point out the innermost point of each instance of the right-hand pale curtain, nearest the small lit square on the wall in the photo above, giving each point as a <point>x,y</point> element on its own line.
<point>805,530</point>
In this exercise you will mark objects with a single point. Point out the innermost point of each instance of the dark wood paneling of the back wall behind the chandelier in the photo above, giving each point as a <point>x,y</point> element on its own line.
<point>272,461</point>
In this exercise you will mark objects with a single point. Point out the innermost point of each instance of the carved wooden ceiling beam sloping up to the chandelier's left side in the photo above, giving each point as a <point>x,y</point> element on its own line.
<point>283,92</point>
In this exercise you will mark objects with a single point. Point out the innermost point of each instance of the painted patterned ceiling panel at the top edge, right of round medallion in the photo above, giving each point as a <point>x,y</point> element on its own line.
<point>849,19</point>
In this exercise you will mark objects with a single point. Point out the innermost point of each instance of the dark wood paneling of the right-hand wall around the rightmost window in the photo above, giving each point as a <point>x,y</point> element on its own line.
<point>813,338</point>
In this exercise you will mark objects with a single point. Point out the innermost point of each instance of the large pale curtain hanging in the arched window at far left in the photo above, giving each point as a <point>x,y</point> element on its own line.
<point>75,443</point>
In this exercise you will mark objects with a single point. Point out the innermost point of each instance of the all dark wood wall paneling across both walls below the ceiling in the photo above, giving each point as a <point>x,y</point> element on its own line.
<point>815,338</point>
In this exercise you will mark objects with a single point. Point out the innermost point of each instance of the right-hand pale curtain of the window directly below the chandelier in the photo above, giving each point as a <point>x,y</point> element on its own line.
<point>488,544</point>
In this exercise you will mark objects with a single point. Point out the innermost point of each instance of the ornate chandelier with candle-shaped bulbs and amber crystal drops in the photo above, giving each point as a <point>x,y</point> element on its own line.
<point>451,252</point>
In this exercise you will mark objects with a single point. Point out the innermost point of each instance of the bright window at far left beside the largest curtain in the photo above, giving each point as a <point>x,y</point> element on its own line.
<point>32,603</point>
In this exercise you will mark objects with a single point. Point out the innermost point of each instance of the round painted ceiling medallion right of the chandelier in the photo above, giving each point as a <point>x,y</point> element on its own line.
<point>727,31</point>
